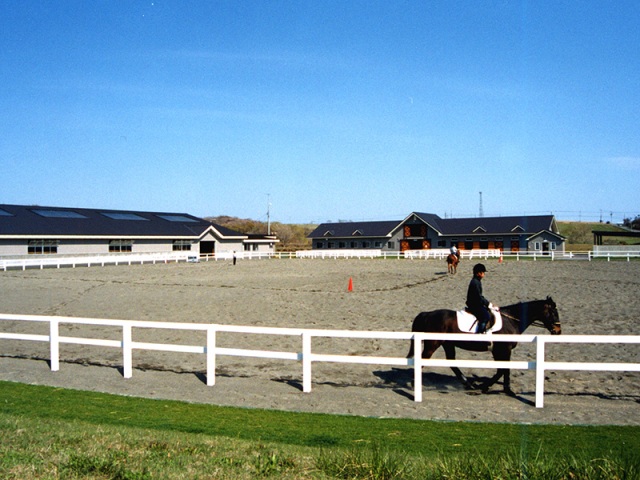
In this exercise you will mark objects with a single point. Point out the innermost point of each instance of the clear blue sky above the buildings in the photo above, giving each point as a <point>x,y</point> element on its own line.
<point>327,110</point>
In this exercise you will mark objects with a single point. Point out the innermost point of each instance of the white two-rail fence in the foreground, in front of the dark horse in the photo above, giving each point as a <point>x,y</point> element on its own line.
<point>306,355</point>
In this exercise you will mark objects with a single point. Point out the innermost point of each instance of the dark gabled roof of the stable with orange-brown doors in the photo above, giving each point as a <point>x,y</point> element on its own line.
<point>514,225</point>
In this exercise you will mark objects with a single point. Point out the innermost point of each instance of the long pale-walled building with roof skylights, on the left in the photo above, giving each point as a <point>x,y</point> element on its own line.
<point>36,230</point>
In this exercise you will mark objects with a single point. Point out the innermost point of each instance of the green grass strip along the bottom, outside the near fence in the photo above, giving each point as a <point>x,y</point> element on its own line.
<point>49,432</point>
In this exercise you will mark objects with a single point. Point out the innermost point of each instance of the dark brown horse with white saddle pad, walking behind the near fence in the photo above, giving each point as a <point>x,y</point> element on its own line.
<point>515,320</point>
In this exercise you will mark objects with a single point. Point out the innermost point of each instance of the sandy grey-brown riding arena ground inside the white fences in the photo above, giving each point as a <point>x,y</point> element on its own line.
<point>593,298</point>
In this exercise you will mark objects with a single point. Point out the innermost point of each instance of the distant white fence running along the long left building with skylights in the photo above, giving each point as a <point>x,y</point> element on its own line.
<point>51,261</point>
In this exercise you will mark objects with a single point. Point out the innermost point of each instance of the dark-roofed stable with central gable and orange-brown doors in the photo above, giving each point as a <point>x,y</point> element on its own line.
<point>420,231</point>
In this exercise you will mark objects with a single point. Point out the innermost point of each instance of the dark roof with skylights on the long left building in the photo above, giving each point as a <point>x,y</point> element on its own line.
<point>83,222</point>
